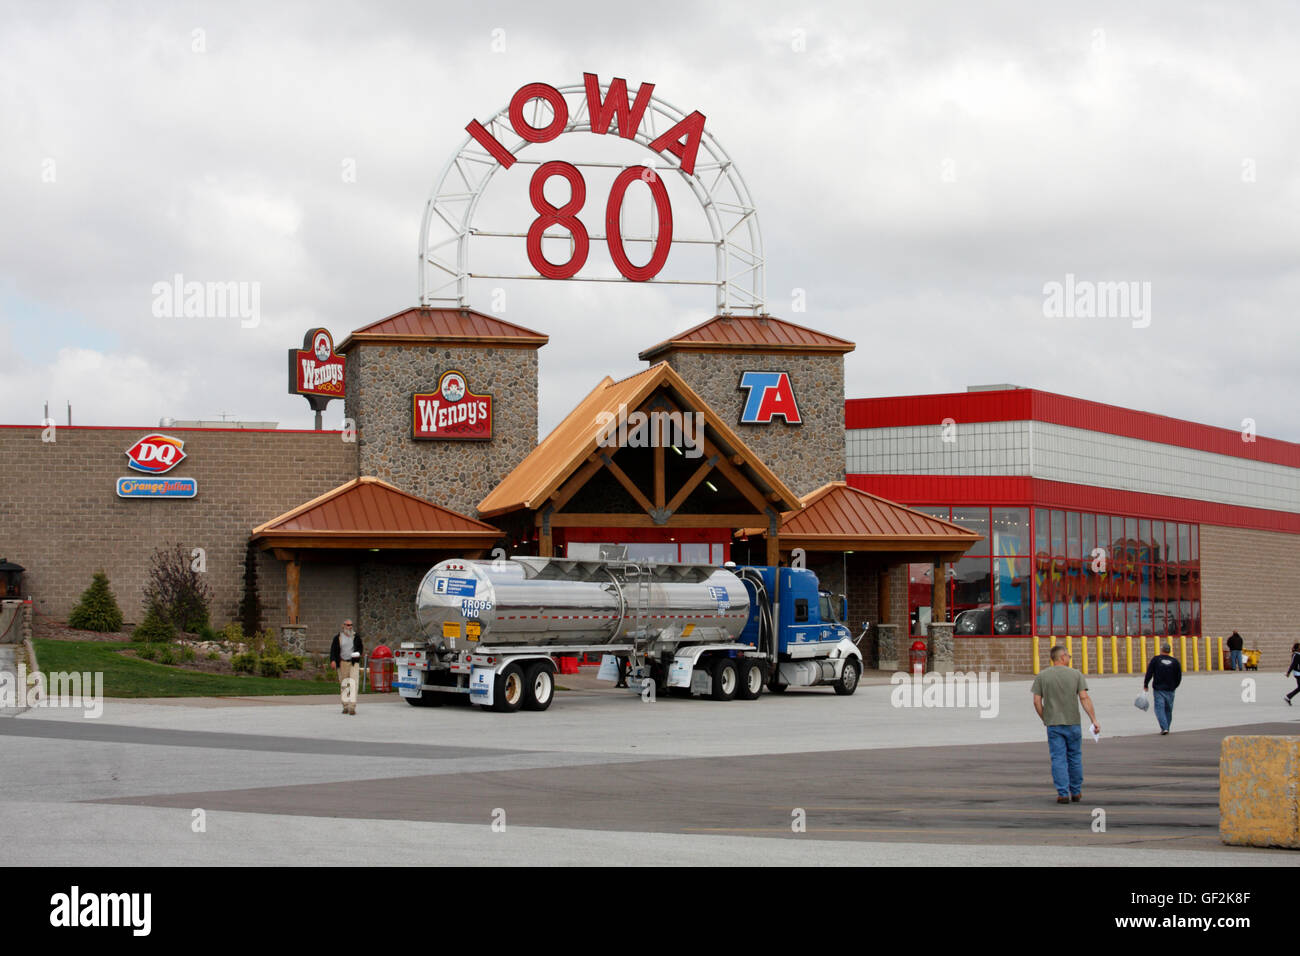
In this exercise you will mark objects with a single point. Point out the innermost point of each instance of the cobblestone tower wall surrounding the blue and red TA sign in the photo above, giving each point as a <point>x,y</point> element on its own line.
<point>804,457</point>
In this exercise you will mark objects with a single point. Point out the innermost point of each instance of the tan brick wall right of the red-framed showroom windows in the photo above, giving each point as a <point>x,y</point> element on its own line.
<point>1247,582</point>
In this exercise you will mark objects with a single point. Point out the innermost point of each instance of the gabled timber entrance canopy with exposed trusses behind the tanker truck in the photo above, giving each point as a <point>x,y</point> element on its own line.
<point>645,452</point>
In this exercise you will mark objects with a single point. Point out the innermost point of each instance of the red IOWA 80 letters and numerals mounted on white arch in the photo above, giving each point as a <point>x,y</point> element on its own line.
<point>682,141</point>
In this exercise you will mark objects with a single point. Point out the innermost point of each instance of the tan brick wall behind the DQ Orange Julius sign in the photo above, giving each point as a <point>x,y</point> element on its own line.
<point>62,520</point>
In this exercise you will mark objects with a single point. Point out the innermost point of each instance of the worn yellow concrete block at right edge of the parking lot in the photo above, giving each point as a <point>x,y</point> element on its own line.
<point>1260,791</point>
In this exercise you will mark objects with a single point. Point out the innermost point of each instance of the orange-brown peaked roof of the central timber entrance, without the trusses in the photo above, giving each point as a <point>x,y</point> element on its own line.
<point>566,449</point>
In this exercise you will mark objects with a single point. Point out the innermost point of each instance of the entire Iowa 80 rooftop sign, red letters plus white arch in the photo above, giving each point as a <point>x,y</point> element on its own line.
<point>679,146</point>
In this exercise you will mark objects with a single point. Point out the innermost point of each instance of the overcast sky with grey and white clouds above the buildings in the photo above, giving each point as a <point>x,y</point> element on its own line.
<point>921,171</point>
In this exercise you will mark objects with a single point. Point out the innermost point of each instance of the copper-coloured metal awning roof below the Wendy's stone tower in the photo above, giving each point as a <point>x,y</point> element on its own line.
<point>370,513</point>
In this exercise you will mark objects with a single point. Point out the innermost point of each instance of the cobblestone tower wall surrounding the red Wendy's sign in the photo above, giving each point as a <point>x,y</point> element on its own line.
<point>382,380</point>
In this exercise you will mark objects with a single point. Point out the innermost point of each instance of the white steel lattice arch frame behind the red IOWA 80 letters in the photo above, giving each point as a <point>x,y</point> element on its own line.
<point>717,184</point>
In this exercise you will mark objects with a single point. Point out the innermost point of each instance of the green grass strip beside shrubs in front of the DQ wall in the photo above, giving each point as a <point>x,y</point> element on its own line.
<point>129,677</point>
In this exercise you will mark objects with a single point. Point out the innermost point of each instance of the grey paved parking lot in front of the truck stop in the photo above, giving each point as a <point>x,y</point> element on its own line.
<point>605,777</point>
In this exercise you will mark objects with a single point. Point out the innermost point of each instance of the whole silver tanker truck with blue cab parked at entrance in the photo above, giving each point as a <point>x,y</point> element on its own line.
<point>493,630</point>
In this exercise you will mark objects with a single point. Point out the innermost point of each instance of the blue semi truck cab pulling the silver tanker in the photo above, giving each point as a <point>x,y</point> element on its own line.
<point>799,628</point>
